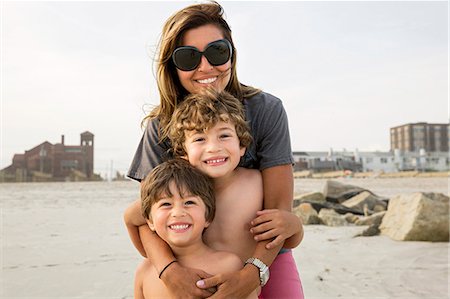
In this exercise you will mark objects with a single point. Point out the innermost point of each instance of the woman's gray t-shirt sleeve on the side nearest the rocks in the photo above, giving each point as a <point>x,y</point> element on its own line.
<point>273,143</point>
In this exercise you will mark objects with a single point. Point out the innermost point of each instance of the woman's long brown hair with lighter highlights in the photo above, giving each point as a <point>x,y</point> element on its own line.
<point>170,89</point>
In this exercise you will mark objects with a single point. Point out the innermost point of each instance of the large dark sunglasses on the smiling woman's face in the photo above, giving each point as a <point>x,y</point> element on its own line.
<point>188,58</point>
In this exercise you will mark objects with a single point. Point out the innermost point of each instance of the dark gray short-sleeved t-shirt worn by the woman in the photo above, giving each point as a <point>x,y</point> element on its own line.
<point>271,144</point>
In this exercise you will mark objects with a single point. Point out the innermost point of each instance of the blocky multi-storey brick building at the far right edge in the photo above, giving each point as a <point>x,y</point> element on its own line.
<point>420,136</point>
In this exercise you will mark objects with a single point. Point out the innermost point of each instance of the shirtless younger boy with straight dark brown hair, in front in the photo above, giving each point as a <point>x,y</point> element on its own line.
<point>178,203</point>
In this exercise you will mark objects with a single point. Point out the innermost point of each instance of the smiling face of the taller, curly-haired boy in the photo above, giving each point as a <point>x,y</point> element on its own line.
<point>216,151</point>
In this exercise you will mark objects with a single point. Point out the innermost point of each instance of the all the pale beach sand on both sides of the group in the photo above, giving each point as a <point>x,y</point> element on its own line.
<point>67,240</point>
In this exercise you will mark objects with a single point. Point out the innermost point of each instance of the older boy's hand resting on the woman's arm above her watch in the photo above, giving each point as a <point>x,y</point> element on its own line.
<point>275,224</point>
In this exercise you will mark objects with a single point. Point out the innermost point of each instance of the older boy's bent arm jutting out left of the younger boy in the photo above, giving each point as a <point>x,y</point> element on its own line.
<point>133,219</point>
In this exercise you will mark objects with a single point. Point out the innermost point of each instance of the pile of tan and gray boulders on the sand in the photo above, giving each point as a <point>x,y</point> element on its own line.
<point>419,216</point>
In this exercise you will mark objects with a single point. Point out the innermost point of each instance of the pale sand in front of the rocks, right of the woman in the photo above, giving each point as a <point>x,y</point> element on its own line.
<point>334,264</point>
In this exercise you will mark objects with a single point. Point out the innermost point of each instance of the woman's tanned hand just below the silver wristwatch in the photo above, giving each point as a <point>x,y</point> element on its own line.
<point>239,284</point>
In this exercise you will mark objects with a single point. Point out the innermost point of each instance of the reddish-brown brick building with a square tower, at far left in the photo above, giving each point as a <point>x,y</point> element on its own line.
<point>53,162</point>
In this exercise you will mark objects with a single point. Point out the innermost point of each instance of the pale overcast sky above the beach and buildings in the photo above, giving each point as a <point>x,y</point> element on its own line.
<point>345,71</point>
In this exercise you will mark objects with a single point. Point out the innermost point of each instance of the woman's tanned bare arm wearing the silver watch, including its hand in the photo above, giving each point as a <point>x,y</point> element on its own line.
<point>278,193</point>
